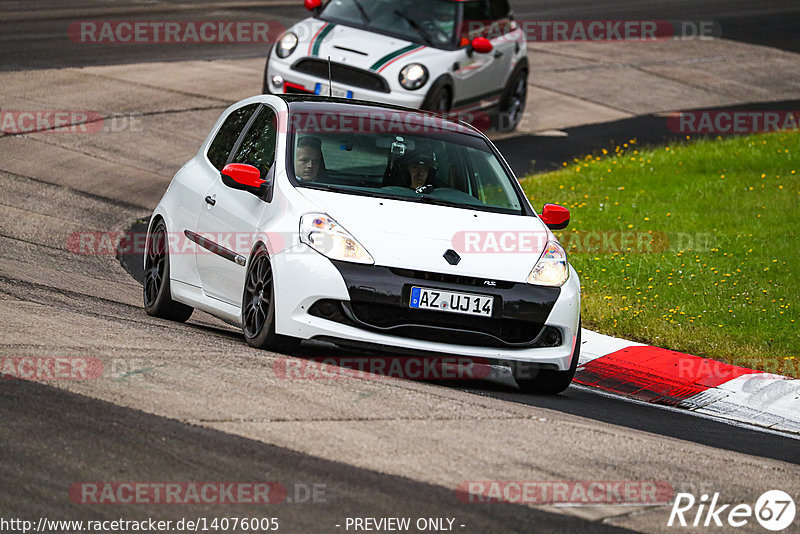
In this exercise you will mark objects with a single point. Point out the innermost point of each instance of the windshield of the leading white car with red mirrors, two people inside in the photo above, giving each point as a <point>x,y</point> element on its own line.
<point>400,155</point>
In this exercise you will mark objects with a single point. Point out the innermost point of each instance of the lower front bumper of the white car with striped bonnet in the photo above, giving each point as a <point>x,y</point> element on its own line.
<point>299,82</point>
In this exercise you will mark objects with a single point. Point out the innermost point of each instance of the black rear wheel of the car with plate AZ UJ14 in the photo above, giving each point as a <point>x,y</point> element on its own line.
<point>156,292</point>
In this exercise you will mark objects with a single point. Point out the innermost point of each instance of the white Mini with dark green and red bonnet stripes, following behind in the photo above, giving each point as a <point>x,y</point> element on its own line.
<point>467,57</point>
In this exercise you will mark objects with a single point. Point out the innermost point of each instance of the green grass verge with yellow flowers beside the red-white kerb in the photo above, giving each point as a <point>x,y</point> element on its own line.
<point>692,247</point>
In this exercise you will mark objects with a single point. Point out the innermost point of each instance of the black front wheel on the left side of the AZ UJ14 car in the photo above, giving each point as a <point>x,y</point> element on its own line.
<point>258,307</point>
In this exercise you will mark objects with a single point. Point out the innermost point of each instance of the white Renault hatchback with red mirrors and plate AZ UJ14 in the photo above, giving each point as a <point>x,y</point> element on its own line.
<point>370,225</point>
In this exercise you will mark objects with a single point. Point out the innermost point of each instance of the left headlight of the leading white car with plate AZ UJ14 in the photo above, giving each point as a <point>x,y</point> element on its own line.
<point>326,236</point>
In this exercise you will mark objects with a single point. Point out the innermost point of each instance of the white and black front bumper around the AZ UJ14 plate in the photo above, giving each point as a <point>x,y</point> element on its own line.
<point>372,307</point>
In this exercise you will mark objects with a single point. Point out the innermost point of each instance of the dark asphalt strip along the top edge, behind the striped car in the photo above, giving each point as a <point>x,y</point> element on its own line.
<point>35,36</point>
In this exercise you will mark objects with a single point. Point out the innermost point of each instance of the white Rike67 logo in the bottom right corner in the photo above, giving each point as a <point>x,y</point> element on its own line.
<point>774,510</point>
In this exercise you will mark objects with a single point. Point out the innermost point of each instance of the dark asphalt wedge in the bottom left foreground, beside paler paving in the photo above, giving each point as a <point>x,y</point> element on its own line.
<point>91,439</point>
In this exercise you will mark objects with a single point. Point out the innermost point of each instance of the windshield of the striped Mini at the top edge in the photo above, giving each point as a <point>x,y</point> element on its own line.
<point>430,22</point>
